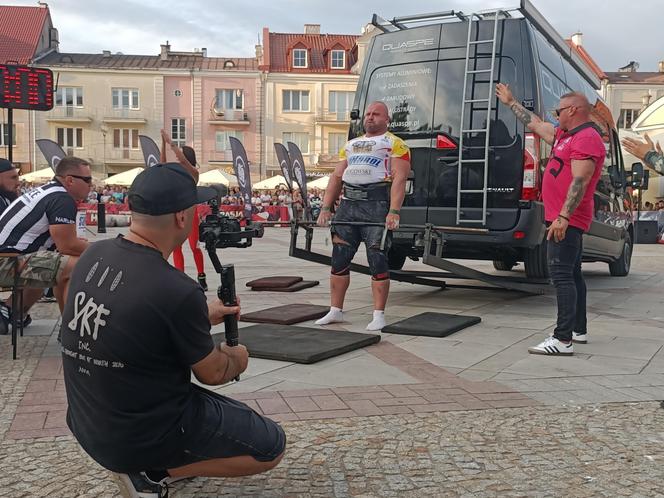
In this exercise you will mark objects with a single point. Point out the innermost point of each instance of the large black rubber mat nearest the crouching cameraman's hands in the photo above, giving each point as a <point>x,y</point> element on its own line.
<point>299,344</point>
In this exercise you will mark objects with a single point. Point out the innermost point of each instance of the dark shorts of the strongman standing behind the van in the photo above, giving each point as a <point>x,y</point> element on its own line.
<point>361,211</point>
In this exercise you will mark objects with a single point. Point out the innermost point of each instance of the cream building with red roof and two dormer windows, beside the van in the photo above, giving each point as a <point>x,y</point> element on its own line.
<point>308,91</point>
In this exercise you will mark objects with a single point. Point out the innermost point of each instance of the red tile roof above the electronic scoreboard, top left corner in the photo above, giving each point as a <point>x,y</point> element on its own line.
<point>20,29</point>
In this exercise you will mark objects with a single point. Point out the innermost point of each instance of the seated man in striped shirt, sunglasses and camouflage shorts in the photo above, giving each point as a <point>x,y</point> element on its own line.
<point>35,225</point>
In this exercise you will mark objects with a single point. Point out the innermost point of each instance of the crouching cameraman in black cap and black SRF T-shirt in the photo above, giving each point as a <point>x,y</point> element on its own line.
<point>133,330</point>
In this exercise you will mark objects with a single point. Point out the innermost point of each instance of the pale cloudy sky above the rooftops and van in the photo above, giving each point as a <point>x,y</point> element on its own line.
<point>613,33</point>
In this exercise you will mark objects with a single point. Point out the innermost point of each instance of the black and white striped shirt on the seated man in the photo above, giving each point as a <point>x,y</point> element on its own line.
<point>24,225</point>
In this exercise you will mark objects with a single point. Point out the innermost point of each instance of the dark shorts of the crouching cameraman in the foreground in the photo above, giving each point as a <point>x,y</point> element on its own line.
<point>221,427</point>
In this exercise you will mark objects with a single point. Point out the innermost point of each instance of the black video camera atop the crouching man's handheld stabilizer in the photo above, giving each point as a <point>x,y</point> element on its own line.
<point>220,231</point>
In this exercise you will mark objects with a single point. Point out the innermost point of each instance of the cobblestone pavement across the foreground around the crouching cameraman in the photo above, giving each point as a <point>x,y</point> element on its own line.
<point>585,451</point>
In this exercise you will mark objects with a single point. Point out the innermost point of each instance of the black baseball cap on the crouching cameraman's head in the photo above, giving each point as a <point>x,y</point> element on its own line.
<point>166,188</point>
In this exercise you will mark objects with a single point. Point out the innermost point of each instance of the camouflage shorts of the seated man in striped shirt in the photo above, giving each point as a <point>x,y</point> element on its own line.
<point>39,269</point>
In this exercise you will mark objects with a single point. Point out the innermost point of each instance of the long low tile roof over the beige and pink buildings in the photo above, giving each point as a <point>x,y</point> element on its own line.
<point>121,61</point>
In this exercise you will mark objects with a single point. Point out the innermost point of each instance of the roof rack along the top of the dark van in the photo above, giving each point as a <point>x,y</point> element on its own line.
<point>526,9</point>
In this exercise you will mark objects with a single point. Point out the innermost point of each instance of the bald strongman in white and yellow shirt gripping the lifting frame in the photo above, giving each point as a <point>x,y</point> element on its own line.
<point>372,178</point>
